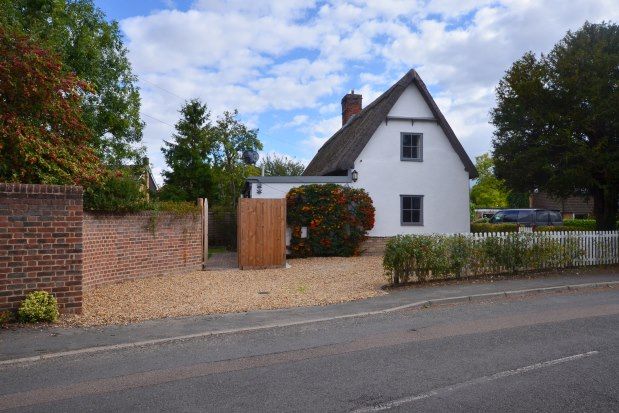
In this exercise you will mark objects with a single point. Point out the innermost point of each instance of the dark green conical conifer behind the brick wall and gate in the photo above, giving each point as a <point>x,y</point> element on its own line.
<point>189,157</point>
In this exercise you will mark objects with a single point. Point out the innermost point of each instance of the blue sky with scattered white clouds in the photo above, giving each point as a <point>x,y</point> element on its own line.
<point>285,64</point>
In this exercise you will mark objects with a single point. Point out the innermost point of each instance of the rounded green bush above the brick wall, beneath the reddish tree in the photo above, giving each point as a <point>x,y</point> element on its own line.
<point>118,191</point>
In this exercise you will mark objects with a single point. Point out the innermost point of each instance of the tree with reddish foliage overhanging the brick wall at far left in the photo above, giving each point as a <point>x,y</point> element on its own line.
<point>43,138</point>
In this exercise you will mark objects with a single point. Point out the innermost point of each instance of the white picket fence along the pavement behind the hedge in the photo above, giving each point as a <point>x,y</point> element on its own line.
<point>596,247</point>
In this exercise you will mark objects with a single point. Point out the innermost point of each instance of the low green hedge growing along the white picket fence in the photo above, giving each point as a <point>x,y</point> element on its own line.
<point>437,257</point>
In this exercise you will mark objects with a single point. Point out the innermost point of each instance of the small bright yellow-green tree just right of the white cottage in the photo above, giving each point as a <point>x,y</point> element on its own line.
<point>489,191</point>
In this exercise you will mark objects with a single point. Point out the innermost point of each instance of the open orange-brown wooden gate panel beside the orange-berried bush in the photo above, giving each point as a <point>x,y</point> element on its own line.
<point>261,233</point>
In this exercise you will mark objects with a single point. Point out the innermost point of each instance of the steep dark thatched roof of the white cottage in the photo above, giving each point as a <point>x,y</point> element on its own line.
<point>339,153</point>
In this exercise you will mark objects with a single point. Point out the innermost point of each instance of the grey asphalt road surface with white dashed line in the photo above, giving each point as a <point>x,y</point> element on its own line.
<point>548,352</point>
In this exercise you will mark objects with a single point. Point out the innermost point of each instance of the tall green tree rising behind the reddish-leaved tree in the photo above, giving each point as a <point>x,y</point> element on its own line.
<point>91,48</point>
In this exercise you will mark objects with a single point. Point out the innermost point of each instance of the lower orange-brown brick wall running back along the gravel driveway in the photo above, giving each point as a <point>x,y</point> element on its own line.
<point>120,247</point>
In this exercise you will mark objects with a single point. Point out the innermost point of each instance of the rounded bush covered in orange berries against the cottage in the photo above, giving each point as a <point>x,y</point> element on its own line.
<point>337,219</point>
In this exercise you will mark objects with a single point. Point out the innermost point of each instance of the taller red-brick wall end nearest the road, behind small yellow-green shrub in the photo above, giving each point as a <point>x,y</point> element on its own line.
<point>41,244</point>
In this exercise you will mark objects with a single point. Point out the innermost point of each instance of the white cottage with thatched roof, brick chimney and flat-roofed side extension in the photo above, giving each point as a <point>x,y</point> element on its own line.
<point>402,151</point>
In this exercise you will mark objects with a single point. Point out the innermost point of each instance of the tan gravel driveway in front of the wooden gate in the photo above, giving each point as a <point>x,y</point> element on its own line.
<point>311,281</point>
